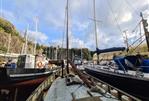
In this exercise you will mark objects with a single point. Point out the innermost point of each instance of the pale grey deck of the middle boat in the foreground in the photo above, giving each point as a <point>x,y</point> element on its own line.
<point>59,91</point>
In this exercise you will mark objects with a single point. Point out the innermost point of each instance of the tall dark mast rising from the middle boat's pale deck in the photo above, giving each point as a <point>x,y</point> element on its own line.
<point>67,39</point>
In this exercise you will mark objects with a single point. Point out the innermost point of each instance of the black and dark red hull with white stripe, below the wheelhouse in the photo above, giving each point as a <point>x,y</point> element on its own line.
<point>20,82</point>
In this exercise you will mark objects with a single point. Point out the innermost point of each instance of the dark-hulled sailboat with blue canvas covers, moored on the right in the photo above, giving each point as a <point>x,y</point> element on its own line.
<point>128,74</point>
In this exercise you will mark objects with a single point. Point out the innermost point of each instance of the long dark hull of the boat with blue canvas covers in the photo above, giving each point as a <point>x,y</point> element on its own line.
<point>135,86</point>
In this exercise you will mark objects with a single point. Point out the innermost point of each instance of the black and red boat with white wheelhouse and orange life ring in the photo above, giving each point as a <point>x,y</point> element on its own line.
<point>23,78</point>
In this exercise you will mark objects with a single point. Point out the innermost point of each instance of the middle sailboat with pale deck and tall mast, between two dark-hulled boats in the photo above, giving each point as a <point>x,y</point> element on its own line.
<point>74,86</point>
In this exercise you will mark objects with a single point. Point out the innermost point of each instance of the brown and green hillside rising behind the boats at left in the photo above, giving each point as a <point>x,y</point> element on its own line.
<point>17,41</point>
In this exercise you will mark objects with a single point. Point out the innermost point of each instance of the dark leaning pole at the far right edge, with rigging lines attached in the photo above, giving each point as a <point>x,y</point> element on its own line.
<point>145,24</point>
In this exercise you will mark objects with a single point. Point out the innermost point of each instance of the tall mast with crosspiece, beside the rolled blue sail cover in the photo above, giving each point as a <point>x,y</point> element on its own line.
<point>95,26</point>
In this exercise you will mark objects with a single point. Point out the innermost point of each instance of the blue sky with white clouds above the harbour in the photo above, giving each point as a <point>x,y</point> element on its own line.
<point>113,18</point>
